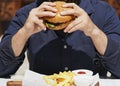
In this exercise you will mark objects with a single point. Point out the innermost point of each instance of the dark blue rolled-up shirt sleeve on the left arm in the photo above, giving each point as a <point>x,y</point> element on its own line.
<point>8,62</point>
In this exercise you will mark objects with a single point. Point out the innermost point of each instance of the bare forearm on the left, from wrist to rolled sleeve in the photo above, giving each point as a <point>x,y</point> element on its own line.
<point>19,40</point>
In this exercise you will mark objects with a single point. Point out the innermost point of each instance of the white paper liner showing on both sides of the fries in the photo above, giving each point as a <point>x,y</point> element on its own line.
<point>35,79</point>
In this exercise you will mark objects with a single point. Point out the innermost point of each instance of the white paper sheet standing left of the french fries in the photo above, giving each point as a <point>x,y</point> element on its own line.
<point>33,79</point>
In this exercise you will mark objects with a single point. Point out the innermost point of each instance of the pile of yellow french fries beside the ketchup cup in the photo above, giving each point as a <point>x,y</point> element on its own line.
<point>61,79</point>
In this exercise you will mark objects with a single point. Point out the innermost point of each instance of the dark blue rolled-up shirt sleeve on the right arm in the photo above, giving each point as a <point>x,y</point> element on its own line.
<point>111,58</point>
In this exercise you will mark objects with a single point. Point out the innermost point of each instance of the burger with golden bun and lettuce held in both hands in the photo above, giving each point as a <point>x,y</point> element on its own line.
<point>58,22</point>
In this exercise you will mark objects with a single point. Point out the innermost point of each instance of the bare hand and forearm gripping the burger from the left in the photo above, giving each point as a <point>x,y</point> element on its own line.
<point>33,24</point>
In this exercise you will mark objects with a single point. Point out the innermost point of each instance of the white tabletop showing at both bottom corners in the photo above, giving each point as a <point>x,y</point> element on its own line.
<point>103,82</point>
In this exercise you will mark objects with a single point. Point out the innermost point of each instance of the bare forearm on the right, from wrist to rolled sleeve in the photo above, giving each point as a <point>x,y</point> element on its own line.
<point>99,40</point>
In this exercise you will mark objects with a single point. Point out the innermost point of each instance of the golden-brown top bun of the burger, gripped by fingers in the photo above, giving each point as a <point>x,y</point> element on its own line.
<point>58,18</point>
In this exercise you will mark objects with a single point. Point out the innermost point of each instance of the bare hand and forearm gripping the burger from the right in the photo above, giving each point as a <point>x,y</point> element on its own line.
<point>85,24</point>
